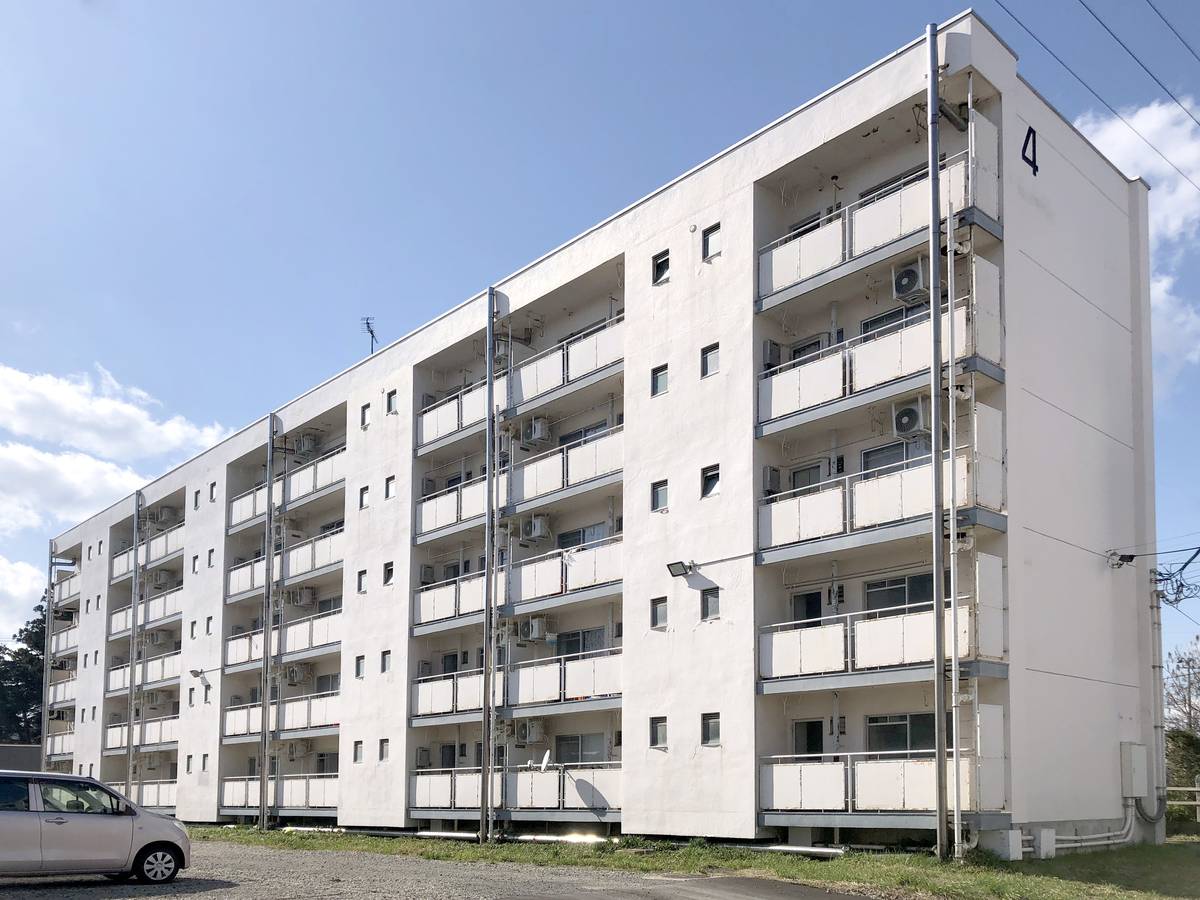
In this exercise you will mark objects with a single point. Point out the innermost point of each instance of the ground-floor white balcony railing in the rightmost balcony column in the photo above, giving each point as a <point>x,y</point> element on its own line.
<point>901,782</point>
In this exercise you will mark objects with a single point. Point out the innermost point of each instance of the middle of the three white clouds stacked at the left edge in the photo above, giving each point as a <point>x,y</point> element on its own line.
<point>40,489</point>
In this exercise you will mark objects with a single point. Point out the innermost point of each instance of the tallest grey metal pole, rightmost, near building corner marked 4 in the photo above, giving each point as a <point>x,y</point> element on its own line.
<point>938,526</point>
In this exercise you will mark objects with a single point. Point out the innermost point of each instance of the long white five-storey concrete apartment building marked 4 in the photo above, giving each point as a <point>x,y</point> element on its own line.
<point>733,373</point>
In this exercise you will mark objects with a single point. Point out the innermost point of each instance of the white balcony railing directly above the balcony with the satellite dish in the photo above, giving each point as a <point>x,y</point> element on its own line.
<point>557,680</point>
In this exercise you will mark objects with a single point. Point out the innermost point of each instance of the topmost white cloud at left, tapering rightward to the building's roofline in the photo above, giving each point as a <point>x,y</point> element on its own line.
<point>97,415</point>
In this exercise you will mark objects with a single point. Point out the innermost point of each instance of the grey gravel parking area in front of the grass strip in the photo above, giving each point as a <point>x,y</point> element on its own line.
<point>241,873</point>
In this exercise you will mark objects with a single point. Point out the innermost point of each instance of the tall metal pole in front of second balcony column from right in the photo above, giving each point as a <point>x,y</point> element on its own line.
<point>485,789</point>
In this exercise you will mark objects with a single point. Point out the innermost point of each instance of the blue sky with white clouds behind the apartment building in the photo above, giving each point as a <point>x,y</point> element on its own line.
<point>255,177</point>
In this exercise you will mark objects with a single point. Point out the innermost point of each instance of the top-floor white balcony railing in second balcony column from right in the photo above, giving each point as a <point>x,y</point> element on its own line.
<point>562,364</point>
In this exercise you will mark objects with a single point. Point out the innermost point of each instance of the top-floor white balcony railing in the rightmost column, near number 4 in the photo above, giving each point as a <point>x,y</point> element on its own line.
<point>863,226</point>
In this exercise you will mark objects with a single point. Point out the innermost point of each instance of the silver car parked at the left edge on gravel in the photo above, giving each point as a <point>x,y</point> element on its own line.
<point>63,825</point>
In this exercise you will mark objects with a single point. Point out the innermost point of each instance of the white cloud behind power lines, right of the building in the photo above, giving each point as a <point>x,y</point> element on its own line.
<point>1174,220</point>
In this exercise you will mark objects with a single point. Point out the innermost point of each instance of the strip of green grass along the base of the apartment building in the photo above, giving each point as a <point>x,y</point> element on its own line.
<point>1143,872</point>
